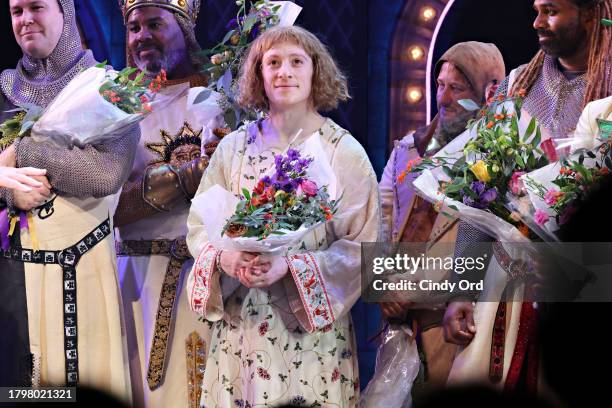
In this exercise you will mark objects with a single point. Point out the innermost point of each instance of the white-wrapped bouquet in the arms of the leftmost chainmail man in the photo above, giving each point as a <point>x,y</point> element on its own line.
<point>98,105</point>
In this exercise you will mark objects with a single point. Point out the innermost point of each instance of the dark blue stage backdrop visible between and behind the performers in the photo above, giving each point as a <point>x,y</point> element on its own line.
<point>360,34</point>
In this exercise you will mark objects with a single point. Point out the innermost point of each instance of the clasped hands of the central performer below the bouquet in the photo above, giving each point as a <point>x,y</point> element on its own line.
<point>252,269</point>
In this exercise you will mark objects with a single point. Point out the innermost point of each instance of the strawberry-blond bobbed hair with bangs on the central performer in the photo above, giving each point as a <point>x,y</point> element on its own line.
<point>329,84</point>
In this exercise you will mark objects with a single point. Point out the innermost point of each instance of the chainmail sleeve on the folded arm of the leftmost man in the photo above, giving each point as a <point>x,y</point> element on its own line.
<point>94,171</point>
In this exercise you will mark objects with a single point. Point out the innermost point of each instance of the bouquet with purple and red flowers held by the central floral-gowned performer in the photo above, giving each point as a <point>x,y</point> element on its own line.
<point>296,197</point>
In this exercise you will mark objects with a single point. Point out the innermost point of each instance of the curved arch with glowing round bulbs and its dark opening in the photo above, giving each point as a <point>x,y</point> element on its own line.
<point>426,29</point>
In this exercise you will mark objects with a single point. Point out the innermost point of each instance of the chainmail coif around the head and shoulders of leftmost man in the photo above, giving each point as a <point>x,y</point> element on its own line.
<point>38,81</point>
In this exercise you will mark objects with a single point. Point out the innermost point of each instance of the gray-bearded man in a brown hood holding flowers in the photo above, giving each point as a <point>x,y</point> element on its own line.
<point>467,70</point>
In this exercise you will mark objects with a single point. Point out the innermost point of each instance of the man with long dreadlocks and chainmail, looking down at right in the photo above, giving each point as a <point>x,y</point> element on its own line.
<point>571,69</point>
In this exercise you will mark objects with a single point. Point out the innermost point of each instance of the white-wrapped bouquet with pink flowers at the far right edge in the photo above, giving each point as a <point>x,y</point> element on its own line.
<point>557,190</point>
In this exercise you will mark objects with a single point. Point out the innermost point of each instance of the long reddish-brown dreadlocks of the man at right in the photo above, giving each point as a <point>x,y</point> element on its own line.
<point>599,77</point>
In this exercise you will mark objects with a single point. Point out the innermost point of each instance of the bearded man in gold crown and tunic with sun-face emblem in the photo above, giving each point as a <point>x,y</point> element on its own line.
<point>166,341</point>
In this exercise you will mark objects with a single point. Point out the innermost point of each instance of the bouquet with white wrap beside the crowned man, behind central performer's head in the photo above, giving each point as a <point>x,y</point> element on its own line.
<point>226,57</point>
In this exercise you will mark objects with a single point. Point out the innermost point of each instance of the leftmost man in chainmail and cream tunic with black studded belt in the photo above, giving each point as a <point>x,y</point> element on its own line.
<point>61,311</point>
